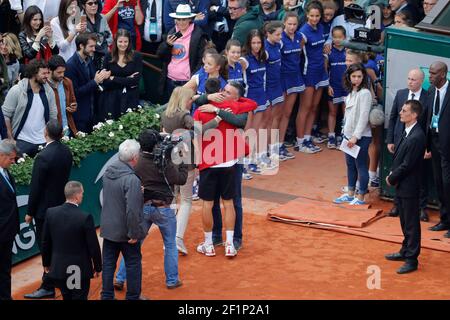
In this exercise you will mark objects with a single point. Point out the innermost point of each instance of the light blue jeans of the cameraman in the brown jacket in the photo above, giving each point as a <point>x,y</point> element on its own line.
<point>166,220</point>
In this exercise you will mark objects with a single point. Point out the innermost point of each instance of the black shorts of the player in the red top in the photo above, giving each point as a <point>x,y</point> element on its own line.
<point>215,181</point>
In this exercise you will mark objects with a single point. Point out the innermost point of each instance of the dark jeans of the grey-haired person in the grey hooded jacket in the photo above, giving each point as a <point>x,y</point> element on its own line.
<point>132,254</point>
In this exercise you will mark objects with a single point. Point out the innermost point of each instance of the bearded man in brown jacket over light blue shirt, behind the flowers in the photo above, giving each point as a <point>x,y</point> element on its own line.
<point>64,95</point>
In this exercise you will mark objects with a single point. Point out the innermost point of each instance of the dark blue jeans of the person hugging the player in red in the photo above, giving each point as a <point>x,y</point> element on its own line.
<point>237,201</point>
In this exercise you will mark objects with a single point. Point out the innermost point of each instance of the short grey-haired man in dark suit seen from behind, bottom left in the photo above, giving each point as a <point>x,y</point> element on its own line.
<point>70,250</point>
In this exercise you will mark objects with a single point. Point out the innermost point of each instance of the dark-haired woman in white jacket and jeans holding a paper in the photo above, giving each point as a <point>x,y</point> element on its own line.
<point>357,131</point>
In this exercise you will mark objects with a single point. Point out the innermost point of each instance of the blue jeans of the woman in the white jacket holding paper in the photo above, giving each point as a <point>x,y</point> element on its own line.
<point>359,167</point>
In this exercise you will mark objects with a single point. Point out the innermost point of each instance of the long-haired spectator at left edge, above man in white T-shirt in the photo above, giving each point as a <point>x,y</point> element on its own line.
<point>11,52</point>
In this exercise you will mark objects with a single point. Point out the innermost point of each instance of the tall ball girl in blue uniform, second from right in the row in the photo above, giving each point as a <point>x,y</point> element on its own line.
<point>315,76</point>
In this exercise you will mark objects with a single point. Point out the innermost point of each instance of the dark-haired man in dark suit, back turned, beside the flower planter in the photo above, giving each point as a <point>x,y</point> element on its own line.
<point>51,171</point>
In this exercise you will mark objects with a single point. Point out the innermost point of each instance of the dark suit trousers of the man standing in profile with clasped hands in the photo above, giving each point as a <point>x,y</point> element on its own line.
<point>410,222</point>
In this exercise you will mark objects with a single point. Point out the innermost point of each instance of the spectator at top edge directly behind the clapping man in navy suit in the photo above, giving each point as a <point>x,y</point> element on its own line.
<point>96,23</point>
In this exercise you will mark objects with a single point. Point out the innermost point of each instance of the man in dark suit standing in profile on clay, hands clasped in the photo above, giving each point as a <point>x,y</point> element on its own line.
<point>405,176</point>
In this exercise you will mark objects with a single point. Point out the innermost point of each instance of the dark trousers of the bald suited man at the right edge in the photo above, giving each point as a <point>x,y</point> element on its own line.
<point>441,169</point>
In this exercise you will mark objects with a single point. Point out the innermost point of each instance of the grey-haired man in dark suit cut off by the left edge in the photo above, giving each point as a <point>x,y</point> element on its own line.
<point>9,216</point>
